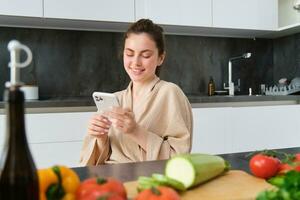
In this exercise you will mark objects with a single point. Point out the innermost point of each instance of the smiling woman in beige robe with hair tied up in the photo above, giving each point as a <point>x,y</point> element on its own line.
<point>154,120</point>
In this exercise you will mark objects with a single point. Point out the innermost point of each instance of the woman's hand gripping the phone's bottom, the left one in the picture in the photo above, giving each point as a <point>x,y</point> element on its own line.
<point>98,126</point>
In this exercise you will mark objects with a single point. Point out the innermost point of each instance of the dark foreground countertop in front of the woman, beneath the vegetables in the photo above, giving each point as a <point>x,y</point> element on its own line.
<point>131,171</point>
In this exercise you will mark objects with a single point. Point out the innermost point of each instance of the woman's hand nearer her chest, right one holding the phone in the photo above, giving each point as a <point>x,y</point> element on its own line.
<point>123,119</point>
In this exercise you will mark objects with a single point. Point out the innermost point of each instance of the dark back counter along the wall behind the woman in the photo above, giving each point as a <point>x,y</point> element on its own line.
<point>87,105</point>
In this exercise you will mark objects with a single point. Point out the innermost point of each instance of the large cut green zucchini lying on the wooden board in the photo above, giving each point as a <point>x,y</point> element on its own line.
<point>193,169</point>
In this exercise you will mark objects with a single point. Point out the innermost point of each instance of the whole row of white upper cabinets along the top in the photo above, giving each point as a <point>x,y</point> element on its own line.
<point>230,18</point>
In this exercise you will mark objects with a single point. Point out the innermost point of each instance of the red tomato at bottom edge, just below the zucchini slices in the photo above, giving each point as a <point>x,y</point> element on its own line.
<point>159,193</point>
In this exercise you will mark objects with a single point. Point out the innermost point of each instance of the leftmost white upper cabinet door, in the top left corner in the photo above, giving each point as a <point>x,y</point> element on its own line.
<point>28,8</point>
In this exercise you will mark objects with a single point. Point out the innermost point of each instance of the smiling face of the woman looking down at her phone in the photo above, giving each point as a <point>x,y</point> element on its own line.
<point>141,57</point>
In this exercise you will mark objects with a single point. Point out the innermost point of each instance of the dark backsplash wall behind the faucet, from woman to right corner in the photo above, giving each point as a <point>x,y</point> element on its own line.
<point>191,60</point>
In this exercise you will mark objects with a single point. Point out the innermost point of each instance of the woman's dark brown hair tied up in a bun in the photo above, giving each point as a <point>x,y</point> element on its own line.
<point>153,30</point>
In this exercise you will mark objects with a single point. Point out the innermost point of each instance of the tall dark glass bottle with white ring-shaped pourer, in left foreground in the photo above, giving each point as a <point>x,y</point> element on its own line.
<point>18,174</point>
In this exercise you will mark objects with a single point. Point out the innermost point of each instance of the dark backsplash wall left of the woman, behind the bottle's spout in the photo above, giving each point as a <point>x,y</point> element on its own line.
<point>67,63</point>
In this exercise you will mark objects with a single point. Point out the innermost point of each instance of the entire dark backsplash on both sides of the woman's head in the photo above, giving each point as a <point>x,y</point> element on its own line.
<point>72,64</point>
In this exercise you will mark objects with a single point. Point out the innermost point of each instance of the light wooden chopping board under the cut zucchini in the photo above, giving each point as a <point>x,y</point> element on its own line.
<point>234,185</point>
